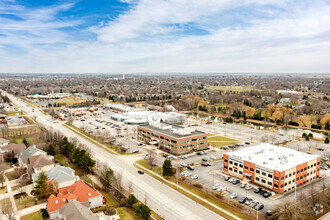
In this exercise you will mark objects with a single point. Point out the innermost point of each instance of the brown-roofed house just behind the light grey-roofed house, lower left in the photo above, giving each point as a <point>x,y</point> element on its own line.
<point>39,163</point>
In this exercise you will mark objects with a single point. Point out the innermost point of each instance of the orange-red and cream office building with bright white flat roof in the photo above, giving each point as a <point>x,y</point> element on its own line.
<point>273,167</point>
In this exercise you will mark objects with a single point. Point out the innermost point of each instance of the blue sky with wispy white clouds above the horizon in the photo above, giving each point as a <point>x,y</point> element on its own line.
<point>111,36</point>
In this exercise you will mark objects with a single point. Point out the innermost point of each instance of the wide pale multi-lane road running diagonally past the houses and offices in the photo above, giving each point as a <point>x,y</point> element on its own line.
<point>164,200</point>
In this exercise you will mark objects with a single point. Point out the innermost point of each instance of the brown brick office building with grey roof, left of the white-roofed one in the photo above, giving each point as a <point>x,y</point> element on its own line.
<point>174,139</point>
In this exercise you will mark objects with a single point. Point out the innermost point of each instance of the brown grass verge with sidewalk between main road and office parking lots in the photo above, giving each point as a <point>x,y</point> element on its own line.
<point>195,191</point>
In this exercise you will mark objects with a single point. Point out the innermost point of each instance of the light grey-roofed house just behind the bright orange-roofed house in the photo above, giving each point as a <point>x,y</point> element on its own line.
<point>64,176</point>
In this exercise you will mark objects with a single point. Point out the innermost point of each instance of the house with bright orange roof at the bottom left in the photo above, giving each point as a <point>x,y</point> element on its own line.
<point>80,192</point>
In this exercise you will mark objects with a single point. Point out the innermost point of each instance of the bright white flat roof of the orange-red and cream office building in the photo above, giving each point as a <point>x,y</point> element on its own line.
<point>272,157</point>
